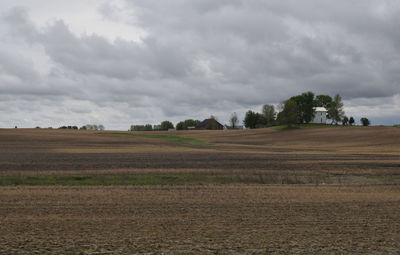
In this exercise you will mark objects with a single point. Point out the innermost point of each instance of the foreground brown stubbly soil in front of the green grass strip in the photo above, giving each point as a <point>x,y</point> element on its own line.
<point>200,220</point>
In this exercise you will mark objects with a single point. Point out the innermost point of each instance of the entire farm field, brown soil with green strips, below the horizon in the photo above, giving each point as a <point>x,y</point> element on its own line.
<point>320,190</point>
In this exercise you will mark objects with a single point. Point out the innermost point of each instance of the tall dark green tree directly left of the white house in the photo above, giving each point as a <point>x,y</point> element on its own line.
<point>305,104</point>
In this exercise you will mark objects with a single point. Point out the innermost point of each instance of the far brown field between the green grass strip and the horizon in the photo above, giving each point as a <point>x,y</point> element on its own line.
<point>352,155</point>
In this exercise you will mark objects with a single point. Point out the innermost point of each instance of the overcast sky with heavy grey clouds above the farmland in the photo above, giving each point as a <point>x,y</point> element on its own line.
<point>129,62</point>
